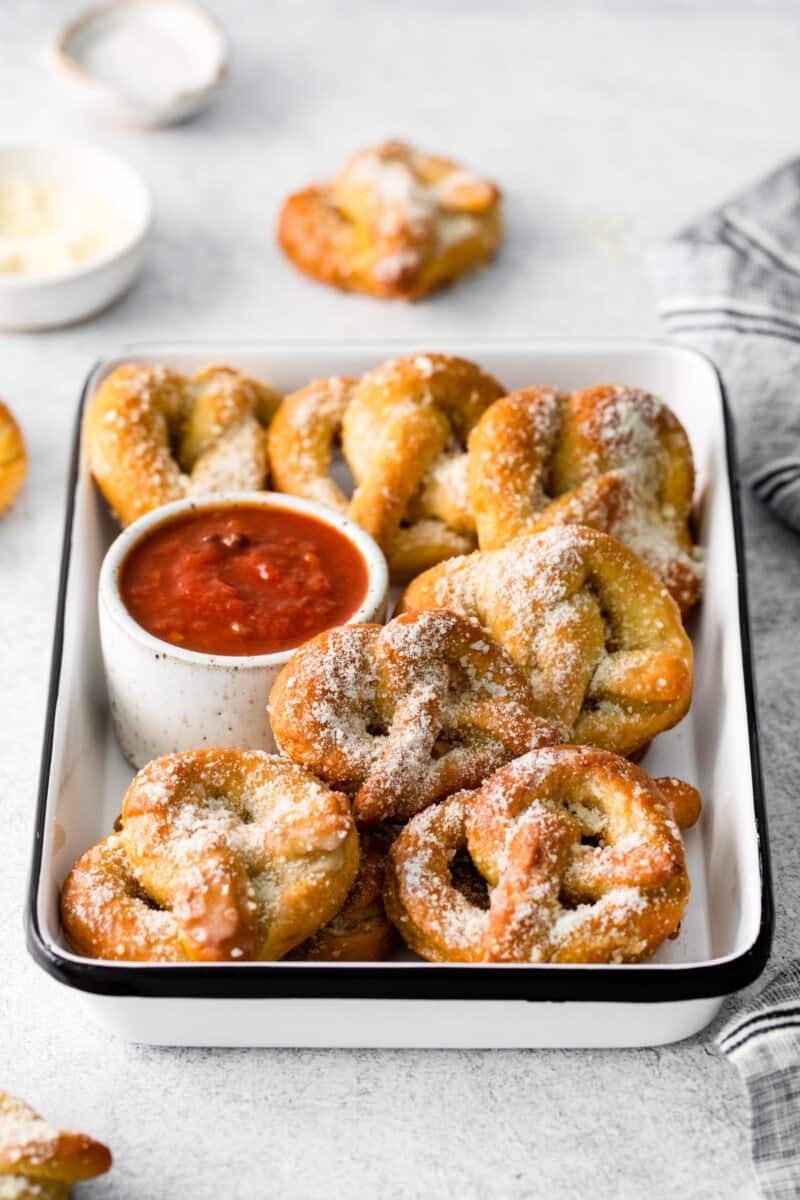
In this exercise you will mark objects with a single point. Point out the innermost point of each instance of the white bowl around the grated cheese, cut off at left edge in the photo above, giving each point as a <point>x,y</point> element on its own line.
<point>62,298</point>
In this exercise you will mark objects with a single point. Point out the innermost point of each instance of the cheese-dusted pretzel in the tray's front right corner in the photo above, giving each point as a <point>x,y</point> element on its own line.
<point>581,854</point>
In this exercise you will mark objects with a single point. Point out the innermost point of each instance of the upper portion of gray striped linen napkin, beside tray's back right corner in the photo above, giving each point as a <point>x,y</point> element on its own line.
<point>731,285</point>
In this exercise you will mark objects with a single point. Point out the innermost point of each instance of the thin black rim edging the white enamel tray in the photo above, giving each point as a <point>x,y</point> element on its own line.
<point>549,982</point>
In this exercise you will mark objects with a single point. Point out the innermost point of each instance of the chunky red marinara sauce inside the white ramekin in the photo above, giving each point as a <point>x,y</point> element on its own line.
<point>243,580</point>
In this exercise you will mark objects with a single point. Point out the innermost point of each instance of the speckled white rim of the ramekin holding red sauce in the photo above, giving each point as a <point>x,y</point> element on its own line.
<point>110,596</point>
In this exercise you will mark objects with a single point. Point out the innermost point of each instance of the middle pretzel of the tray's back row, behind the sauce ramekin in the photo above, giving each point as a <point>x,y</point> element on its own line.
<point>404,430</point>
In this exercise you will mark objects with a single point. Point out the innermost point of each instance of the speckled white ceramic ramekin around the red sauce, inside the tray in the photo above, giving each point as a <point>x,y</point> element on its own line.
<point>165,698</point>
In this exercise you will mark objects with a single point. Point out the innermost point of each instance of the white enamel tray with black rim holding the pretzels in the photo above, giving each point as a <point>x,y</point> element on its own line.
<point>726,935</point>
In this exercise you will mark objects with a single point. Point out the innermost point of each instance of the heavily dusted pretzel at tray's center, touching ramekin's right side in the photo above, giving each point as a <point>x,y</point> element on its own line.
<point>406,713</point>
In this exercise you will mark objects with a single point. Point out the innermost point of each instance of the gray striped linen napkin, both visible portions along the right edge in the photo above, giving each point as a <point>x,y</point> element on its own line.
<point>731,286</point>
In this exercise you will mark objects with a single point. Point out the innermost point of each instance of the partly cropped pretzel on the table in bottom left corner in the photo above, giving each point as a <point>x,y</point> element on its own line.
<point>39,1162</point>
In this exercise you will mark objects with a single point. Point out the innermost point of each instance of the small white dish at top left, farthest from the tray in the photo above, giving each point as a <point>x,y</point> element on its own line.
<point>146,63</point>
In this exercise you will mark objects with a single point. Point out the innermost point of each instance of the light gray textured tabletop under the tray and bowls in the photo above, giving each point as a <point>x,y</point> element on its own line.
<point>606,133</point>
